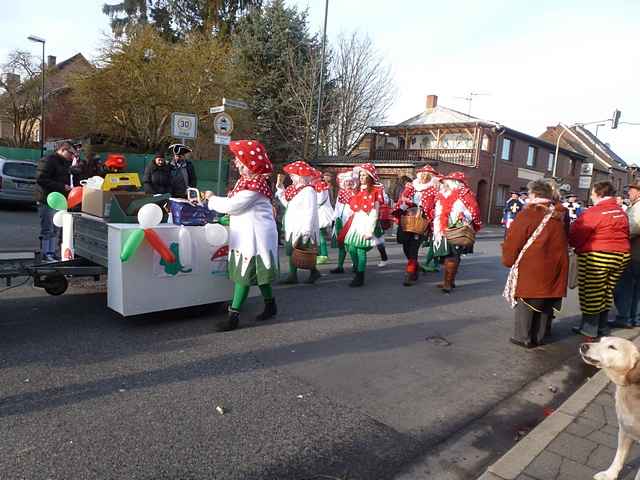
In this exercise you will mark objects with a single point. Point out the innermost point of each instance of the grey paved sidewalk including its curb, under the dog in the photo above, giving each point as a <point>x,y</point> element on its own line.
<point>576,442</point>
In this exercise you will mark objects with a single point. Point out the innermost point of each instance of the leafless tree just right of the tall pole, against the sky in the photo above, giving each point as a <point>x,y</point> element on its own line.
<point>362,94</point>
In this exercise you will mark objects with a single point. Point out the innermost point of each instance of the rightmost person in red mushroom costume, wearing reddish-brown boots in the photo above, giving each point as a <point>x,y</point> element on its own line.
<point>456,205</point>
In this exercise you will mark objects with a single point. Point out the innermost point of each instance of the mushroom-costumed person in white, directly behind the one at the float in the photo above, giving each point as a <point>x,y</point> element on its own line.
<point>301,224</point>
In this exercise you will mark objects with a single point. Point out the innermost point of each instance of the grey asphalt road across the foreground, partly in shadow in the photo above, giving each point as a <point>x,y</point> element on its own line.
<point>344,384</point>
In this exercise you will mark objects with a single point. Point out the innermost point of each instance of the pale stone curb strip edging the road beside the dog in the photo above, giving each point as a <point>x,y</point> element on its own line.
<point>515,461</point>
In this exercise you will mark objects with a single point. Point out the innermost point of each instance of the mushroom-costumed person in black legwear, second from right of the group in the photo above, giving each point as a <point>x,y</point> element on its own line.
<point>419,194</point>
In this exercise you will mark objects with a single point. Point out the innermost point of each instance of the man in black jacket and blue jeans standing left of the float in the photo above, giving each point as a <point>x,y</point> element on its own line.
<point>52,175</point>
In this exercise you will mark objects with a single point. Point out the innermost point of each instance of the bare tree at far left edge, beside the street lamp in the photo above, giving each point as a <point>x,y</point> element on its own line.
<point>20,93</point>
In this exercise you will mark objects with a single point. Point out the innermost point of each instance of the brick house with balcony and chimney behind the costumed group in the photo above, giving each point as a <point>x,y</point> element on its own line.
<point>494,158</point>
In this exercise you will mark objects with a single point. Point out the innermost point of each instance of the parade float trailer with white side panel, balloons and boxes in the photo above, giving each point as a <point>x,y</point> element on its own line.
<point>160,253</point>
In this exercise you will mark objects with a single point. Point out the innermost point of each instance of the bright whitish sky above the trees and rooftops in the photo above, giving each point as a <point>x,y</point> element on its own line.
<point>540,62</point>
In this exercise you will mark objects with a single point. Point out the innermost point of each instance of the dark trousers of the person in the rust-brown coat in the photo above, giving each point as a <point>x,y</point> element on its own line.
<point>533,318</point>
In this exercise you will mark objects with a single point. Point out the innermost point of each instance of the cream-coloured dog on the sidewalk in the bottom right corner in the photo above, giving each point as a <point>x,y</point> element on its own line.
<point>620,360</point>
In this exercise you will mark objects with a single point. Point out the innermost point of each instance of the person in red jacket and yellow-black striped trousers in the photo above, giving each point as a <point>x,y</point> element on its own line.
<point>600,237</point>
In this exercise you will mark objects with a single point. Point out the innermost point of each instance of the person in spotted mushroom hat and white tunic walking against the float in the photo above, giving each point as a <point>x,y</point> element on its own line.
<point>253,237</point>
